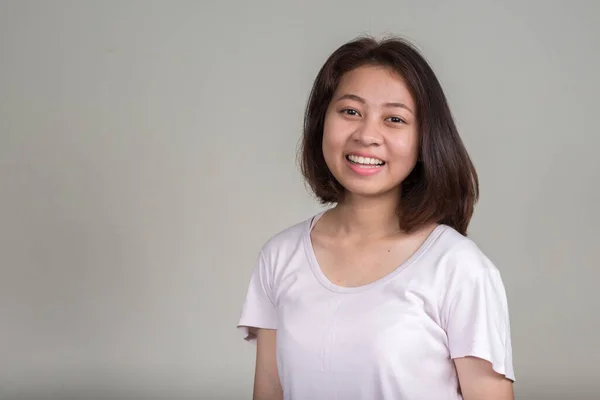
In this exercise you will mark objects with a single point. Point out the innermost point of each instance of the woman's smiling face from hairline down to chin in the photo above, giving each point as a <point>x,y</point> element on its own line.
<point>370,137</point>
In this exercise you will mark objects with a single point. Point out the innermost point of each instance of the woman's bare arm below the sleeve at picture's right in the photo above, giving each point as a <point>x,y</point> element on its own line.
<point>478,381</point>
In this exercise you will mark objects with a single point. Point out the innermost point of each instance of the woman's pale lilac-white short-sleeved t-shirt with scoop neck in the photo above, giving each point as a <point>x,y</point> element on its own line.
<point>394,338</point>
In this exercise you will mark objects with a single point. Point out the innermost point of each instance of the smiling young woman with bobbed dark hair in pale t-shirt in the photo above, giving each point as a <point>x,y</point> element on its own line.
<point>382,296</point>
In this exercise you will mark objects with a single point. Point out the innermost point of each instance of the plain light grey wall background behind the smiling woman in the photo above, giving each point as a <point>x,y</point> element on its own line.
<point>147,151</point>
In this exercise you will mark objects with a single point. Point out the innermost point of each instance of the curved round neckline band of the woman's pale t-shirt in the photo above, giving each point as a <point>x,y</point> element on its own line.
<point>324,281</point>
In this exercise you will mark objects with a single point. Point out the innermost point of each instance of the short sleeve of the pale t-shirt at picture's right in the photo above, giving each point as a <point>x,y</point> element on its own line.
<point>475,310</point>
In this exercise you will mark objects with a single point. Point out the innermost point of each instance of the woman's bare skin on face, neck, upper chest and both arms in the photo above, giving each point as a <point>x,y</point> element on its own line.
<point>373,112</point>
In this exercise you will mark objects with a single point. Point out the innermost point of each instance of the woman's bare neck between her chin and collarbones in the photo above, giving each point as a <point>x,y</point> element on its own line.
<point>366,217</point>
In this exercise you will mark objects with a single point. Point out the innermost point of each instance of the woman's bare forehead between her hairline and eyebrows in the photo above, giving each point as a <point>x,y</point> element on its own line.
<point>376,84</point>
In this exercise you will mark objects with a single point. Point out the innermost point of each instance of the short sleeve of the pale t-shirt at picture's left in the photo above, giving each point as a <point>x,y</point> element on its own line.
<point>259,309</point>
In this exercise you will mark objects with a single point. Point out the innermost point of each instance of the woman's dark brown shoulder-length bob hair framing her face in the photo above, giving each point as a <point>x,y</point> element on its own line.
<point>443,187</point>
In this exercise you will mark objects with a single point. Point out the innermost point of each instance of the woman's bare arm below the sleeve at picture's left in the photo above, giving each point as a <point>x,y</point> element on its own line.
<point>266,379</point>
